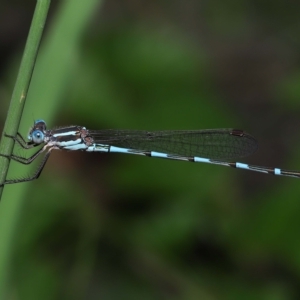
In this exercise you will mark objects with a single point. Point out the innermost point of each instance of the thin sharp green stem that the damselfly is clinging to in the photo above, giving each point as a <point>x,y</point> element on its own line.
<point>22,84</point>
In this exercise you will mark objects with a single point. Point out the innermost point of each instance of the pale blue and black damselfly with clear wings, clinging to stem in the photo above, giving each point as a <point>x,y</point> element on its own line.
<point>213,146</point>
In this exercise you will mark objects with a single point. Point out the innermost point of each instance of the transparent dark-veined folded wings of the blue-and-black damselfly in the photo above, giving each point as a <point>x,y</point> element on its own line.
<point>211,143</point>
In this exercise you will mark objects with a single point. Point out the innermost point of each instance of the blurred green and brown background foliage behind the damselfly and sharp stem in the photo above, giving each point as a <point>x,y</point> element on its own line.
<point>109,226</point>
